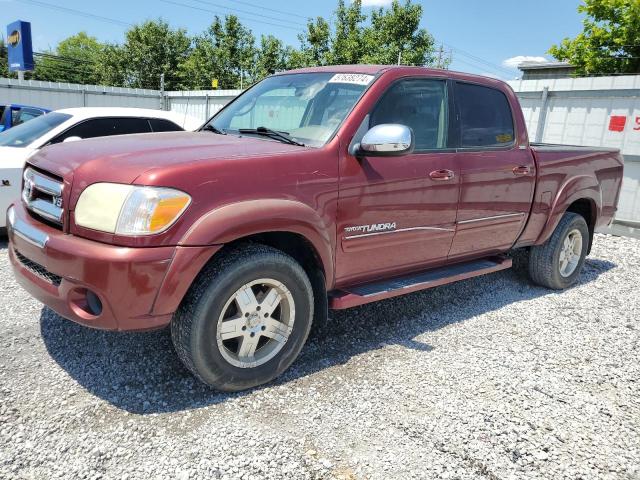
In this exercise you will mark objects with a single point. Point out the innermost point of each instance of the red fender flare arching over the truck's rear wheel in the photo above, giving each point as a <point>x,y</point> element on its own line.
<point>576,188</point>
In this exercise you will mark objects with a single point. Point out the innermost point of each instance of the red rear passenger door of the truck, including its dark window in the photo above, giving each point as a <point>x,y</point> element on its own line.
<point>497,177</point>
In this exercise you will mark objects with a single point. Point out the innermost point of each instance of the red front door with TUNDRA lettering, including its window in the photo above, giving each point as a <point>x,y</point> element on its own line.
<point>397,214</point>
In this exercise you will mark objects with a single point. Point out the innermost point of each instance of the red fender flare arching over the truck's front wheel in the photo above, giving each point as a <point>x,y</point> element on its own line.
<point>242,219</point>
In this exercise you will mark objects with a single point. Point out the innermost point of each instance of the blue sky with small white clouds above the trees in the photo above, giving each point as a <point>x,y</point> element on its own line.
<point>488,37</point>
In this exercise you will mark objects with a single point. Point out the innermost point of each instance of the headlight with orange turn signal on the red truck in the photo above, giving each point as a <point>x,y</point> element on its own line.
<point>129,209</point>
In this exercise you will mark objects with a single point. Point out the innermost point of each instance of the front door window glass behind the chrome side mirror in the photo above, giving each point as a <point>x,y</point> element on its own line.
<point>420,104</point>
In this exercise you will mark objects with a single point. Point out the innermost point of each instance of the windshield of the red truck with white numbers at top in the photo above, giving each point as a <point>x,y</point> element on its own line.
<point>306,107</point>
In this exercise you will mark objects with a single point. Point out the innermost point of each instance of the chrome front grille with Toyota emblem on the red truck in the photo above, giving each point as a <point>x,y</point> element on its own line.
<point>42,195</point>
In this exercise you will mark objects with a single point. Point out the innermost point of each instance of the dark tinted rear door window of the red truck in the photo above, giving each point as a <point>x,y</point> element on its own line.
<point>484,116</point>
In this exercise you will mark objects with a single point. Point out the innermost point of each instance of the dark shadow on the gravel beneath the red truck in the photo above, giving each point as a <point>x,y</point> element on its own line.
<point>140,373</point>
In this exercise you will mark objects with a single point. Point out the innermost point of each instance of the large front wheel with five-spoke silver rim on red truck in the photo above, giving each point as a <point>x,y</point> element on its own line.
<point>219,317</point>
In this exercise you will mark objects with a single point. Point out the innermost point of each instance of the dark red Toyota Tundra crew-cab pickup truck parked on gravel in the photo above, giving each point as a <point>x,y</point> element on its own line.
<point>317,188</point>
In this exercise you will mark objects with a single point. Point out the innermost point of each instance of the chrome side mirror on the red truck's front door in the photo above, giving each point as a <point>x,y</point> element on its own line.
<point>386,140</point>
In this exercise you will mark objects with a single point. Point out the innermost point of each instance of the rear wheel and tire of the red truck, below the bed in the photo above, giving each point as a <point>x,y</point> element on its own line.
<point>549,264</point>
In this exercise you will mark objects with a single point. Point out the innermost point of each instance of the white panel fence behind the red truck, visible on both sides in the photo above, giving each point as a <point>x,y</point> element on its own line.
<point>598,111</point>
